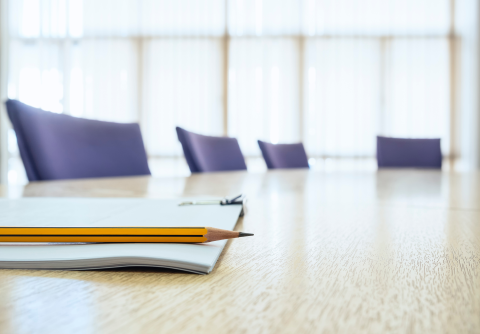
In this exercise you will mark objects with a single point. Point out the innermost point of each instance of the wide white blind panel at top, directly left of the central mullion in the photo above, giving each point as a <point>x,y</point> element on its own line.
<point>152,17</point>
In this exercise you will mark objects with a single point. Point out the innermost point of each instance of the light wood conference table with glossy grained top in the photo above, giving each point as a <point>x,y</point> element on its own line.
<point>389,251</point>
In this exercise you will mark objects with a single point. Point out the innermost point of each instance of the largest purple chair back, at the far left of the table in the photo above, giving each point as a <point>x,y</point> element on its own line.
<point>55,146</point>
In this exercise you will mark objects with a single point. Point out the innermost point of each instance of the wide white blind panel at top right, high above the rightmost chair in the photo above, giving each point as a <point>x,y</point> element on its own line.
<point>376,17</point>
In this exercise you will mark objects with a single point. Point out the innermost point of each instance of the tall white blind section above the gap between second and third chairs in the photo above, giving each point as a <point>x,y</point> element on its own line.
<point>263,92</point>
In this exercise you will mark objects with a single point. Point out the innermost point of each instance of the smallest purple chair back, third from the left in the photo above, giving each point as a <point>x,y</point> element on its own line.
<point>284,155</point>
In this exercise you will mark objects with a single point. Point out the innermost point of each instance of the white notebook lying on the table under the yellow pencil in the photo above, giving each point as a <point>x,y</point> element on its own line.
<point>197,258</point>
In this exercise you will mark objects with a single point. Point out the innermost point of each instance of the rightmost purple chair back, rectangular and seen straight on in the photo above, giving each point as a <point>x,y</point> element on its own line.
<point>401,152</point>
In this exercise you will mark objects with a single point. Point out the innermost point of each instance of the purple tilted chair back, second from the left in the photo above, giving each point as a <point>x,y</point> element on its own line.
<point>210,154</point>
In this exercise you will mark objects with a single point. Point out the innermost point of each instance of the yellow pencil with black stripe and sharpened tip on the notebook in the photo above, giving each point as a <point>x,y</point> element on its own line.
<point>117,234</point>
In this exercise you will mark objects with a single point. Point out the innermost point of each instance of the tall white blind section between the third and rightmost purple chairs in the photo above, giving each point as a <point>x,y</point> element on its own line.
<point>342,101</point>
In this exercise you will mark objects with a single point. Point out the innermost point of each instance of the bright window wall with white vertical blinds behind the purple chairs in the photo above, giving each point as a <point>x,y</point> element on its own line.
<point>333,74</point>
